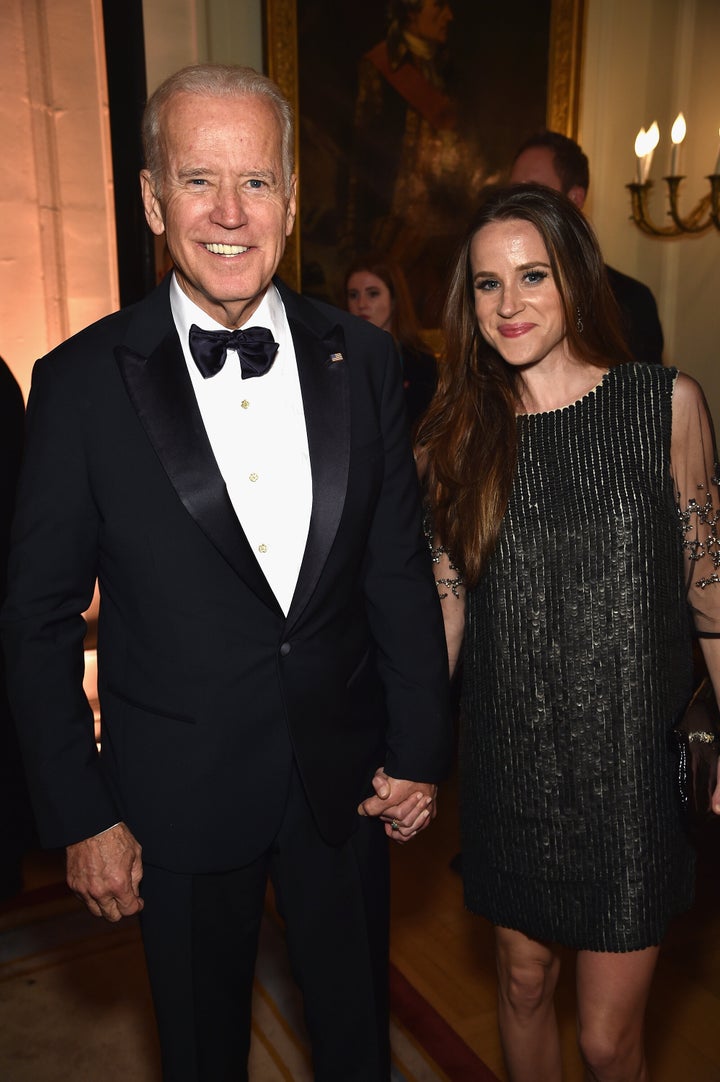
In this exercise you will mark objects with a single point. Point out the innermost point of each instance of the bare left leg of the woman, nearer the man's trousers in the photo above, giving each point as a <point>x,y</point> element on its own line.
<point>528,975</point>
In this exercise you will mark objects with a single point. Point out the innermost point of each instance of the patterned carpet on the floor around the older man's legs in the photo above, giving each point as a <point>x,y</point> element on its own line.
<point>75,1005</point>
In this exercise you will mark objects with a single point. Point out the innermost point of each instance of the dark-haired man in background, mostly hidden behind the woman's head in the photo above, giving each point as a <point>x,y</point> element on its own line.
<point>554,160</point>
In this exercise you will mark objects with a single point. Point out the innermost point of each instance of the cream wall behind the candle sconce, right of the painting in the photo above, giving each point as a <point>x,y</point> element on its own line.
<point>649,60</point>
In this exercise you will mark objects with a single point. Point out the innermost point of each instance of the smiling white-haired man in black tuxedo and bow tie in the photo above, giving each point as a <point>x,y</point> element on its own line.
<point>272,668</point>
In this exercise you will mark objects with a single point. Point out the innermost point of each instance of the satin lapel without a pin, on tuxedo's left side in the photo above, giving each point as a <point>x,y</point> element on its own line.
<point>162,393</point>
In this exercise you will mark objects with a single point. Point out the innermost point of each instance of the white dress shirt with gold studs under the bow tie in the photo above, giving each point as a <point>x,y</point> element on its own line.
<point>257,431</point>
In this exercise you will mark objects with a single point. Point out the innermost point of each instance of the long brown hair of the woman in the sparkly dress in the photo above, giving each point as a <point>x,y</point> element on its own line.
<point>467,441</point>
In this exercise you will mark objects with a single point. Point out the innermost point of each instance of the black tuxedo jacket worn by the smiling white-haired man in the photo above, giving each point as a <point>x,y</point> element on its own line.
<point>208,693</point>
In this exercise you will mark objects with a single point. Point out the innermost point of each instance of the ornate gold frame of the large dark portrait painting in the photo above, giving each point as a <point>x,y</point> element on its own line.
<point>564,86</point>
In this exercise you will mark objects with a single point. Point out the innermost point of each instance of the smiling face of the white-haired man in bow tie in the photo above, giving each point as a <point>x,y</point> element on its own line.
<point>224,204</point>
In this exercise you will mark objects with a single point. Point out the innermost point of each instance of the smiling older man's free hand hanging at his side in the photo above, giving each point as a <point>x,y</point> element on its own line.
<point>106,872</point>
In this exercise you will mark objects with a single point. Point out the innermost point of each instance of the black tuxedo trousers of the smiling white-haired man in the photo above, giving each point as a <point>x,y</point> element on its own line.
<point>201,936</point>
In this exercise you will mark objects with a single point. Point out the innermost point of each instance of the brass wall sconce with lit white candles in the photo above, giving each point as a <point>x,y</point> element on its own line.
<point>704,216</point>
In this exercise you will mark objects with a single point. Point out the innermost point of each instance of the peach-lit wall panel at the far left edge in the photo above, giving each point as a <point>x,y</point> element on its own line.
<point>58,261</point>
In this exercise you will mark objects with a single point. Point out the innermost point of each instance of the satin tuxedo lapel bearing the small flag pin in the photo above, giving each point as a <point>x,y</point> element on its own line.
<point>325,386</point>
